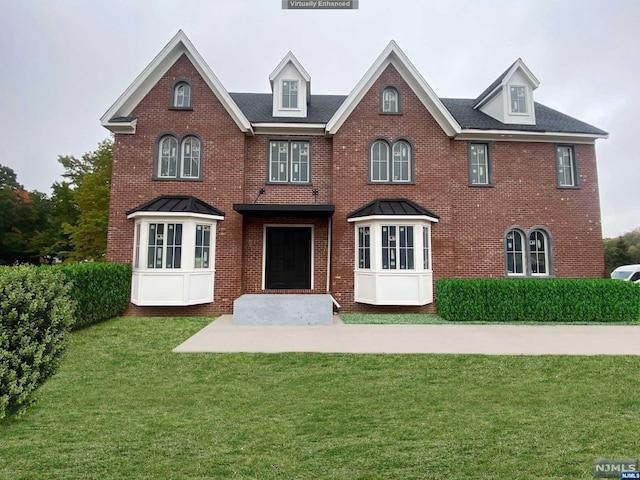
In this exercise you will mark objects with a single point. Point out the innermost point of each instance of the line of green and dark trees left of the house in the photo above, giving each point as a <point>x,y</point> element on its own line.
<point>68,225</point>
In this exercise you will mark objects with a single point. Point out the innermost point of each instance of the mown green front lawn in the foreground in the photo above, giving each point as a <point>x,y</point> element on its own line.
<point>124,406</point>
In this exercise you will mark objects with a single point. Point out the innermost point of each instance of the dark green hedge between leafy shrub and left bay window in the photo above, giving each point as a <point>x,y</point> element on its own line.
<point>101,290</point>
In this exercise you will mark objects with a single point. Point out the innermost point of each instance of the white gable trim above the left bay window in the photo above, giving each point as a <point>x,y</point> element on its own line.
<point>179,45</point>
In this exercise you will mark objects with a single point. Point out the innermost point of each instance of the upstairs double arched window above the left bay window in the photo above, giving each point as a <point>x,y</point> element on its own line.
<point>179,160</point>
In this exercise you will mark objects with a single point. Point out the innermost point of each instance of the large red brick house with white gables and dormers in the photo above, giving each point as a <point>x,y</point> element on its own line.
<point>370,196</point>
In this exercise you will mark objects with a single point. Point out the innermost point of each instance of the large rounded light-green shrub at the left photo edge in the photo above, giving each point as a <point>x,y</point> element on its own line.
<point>36,313</point>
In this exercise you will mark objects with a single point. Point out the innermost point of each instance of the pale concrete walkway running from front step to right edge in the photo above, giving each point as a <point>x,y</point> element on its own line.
<point>223,336</point>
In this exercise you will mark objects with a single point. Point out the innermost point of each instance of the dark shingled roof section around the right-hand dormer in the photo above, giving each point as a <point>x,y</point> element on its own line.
<point>547,119</point>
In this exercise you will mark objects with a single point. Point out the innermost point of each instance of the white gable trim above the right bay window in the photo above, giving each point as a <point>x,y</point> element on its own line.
<point>392,55</point>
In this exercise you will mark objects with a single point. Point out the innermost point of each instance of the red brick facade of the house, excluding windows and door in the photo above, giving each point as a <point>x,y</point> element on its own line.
<point>468,240</point>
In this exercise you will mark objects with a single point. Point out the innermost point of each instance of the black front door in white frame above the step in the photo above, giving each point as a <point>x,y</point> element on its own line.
<point>288,262</point>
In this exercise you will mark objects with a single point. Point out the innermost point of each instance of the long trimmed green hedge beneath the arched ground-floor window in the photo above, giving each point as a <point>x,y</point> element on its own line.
<point>537,300</point>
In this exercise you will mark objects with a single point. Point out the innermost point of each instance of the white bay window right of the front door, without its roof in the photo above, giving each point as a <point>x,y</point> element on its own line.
<point>406,283</point>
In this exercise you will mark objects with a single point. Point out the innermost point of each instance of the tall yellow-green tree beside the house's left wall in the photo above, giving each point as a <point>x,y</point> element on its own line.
<point>90,180</point>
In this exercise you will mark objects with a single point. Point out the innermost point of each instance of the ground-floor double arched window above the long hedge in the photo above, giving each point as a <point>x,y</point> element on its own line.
<point>527,253</point>
